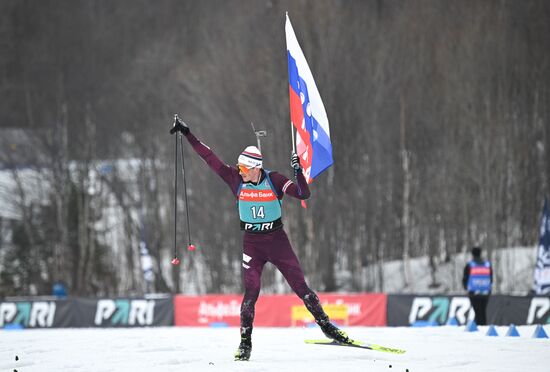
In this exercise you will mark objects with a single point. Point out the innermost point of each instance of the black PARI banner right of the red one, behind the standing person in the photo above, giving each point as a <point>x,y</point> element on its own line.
<point>405,310</point>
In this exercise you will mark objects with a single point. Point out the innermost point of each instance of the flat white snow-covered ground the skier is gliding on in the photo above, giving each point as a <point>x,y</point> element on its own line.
<point>274,349</point>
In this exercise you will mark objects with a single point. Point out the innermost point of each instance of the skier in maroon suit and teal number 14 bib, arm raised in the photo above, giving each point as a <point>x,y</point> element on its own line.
<point>259,195</point>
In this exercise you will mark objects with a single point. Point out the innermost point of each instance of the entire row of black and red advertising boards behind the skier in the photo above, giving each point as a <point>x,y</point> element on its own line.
<point>271,310</point>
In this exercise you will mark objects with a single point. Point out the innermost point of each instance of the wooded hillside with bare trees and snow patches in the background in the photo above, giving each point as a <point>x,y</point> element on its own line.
<point>439,114</point>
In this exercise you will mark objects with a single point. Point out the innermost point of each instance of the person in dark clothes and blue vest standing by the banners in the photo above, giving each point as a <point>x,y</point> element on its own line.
<point>478,280</point>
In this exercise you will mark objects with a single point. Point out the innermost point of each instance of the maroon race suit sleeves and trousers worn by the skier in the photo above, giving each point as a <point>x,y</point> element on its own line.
<point>271,246</point>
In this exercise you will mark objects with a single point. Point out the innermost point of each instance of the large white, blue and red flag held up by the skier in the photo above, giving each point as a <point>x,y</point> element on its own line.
<point>307,111</point>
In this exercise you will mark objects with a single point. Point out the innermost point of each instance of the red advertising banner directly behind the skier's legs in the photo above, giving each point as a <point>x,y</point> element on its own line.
<point>368,309</point>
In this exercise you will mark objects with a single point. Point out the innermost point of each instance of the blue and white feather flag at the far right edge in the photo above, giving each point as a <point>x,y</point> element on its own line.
<point>542,267</point>
